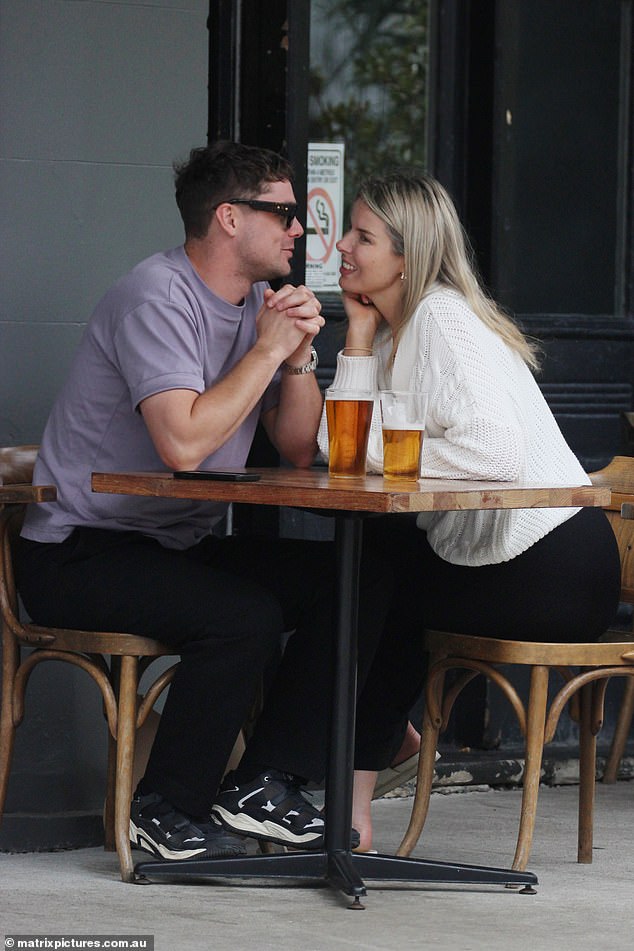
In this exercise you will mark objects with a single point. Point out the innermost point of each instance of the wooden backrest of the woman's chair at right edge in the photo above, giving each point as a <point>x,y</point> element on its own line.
<point>619,475</point>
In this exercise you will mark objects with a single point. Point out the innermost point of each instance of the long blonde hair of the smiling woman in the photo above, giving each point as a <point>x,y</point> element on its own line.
<point>424,227</point>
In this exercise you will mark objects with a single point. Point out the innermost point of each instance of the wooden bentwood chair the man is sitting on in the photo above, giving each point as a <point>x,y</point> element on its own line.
<point>115,661</point>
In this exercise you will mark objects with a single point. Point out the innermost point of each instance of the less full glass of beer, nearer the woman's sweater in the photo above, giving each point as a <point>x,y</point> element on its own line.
<point>403,423</point>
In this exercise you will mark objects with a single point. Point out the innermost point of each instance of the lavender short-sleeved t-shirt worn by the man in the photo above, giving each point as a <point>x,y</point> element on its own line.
<point>158,328</point>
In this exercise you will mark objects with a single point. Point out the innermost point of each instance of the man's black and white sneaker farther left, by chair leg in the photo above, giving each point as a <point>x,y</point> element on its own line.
<point>157,827</point>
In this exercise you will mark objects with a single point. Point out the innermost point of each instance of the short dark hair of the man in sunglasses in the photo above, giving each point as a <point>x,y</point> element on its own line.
<point>221,171</point>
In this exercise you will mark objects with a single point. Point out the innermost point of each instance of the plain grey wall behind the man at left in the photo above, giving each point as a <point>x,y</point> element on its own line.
<point>96,101</point>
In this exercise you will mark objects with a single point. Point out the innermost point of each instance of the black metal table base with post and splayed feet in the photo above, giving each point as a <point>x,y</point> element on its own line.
<point>337,865</point>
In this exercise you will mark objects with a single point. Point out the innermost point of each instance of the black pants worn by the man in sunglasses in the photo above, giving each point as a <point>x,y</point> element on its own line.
<point>224,606</point>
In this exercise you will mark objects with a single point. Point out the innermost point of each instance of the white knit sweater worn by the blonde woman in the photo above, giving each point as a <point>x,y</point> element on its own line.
<point>486,420</point>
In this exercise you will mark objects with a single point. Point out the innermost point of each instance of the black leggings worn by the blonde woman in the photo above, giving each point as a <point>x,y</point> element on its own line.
<point>565,587</point>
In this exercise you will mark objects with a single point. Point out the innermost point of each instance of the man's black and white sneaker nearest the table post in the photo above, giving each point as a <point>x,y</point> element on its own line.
<point>272,807</point>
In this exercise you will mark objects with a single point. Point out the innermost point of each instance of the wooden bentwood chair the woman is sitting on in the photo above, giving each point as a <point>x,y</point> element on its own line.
<point>585,687</point>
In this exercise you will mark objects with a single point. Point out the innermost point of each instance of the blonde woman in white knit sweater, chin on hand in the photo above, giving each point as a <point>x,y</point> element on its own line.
<point>418,319</point>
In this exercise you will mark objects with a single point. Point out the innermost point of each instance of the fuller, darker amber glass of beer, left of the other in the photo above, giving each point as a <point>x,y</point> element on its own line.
<point>349,414</point>
